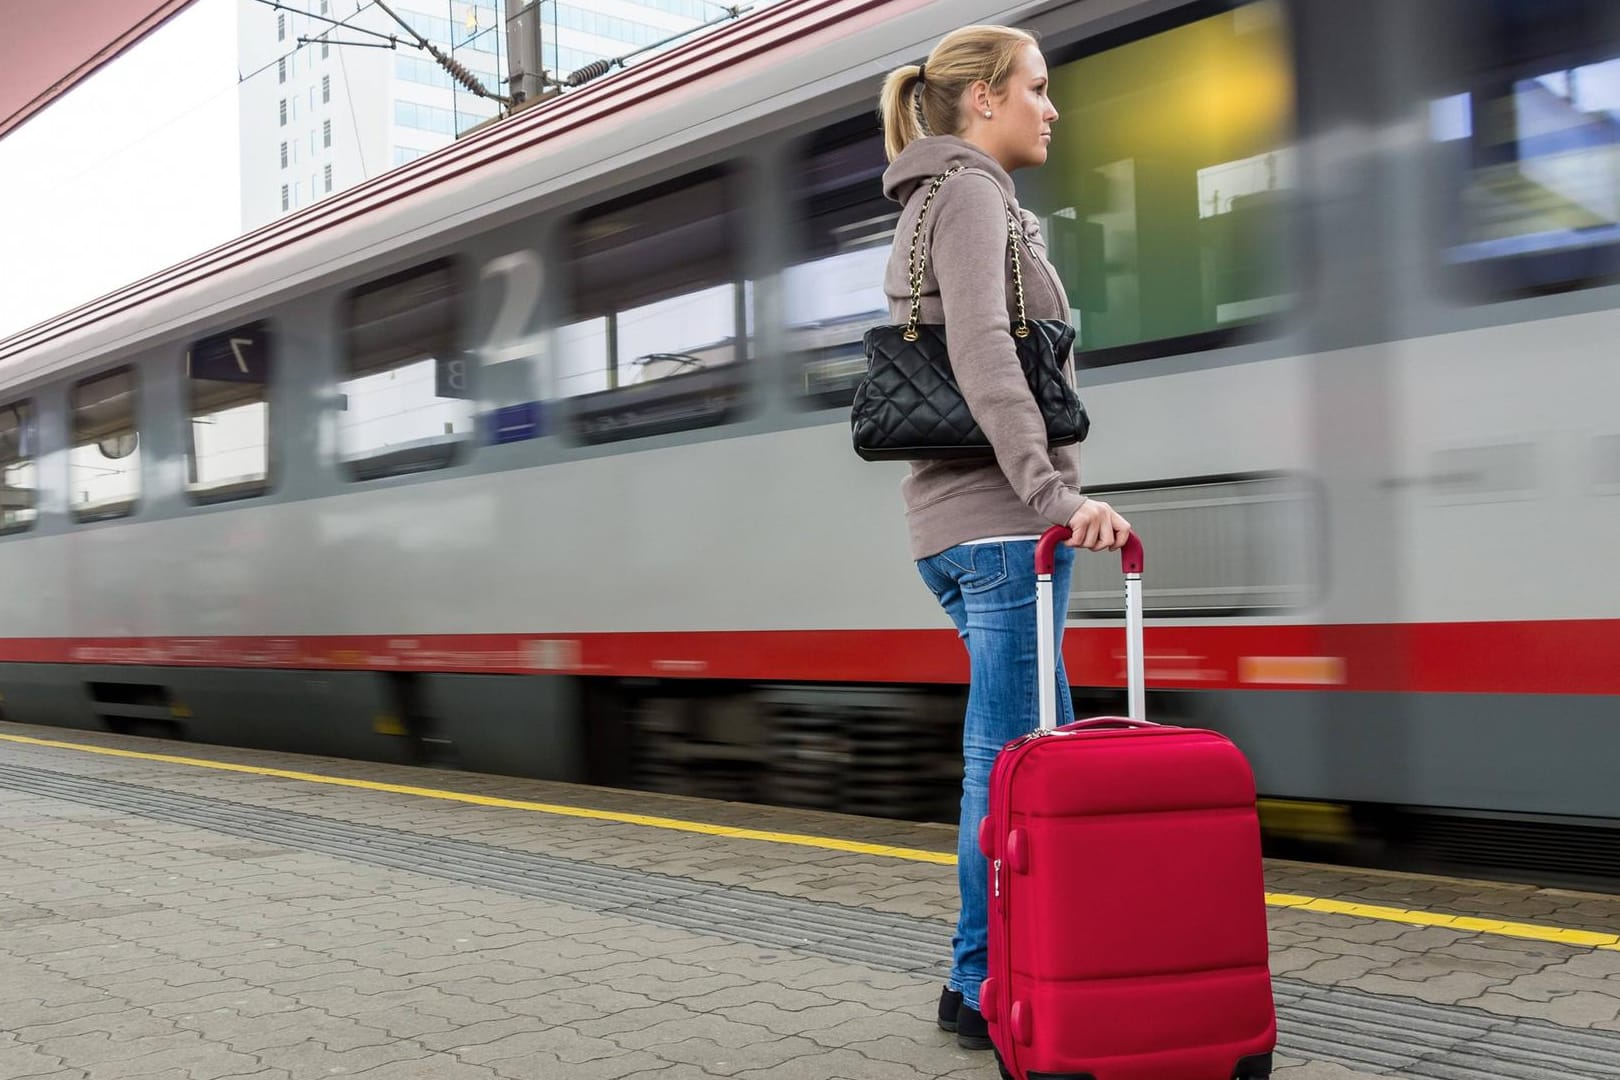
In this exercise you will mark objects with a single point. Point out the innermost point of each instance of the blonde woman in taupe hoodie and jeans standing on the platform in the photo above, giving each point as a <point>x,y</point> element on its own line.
<point>981,101</point>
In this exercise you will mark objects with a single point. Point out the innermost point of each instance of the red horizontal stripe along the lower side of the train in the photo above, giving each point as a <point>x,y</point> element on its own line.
<point>1566,657</point>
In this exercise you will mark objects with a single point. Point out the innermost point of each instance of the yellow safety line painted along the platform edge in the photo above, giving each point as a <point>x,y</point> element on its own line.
<point>1464,924</point>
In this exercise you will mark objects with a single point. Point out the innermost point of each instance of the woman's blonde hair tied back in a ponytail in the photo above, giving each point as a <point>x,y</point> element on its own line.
<point>961,59</point>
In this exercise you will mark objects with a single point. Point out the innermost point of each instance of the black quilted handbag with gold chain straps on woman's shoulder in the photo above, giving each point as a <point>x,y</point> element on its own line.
<point>910,409</point>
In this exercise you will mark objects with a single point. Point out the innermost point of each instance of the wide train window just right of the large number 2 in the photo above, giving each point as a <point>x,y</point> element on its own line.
<point>662,317</point>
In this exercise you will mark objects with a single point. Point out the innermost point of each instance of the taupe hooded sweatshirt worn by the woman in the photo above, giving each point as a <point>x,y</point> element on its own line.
<point>1030,487</point>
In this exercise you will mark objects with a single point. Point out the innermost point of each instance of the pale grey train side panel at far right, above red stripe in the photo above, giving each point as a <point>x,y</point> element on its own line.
<point>1496,495</point>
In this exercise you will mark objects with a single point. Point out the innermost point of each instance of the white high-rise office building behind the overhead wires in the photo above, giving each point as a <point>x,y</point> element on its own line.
<point>328,101</point>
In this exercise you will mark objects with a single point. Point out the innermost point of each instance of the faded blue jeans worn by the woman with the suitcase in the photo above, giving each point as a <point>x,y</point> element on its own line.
<point>989,592</point>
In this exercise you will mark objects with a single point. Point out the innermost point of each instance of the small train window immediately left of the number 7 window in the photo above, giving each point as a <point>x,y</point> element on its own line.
<point>104,464</point>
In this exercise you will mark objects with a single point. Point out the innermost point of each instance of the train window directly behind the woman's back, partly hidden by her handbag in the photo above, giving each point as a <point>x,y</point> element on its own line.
<point>835,292</point>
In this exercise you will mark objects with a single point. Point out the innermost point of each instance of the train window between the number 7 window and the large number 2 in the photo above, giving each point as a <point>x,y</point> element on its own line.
<point>406,396</point>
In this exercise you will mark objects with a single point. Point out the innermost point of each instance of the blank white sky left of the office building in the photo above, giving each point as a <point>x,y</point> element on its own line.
<point>134,171</point>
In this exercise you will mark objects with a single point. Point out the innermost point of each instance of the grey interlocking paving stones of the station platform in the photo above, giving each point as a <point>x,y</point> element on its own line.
<point>139,948</point>
